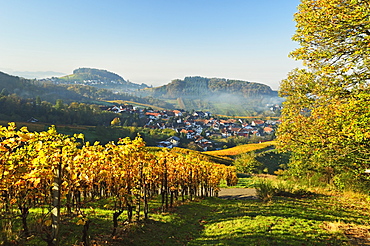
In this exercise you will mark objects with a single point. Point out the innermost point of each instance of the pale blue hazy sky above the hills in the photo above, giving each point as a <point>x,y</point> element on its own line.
<point>151,41</point>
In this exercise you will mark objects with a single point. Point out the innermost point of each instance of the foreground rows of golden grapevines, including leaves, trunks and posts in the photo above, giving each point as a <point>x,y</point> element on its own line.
<point>61,175</point>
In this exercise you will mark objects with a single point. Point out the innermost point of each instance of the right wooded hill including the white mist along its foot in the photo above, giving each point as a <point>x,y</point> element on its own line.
<point>219,96</point>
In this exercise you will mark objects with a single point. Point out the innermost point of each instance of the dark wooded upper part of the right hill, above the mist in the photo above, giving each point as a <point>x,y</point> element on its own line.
<point>199,87</point>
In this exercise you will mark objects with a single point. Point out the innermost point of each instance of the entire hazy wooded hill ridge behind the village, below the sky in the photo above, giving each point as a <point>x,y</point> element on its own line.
<point>89,85</point>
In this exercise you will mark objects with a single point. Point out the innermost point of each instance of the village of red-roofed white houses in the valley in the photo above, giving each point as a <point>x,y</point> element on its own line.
<point>201,129</point>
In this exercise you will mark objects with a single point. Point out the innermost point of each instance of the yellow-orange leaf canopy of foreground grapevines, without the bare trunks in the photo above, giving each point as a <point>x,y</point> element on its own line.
<point>121,169</point>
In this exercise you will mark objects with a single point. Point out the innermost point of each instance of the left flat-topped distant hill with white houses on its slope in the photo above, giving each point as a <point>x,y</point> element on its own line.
<point>98,78</point>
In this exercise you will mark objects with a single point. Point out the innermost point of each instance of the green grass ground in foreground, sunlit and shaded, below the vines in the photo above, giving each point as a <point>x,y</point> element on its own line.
<point>326,218</point>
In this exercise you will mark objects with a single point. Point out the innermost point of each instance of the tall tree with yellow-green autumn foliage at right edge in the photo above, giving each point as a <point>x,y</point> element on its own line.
<point>326,117</point>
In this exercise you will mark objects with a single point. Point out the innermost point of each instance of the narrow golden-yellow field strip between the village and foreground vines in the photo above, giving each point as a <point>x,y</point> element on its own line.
<point>241,149</point>
